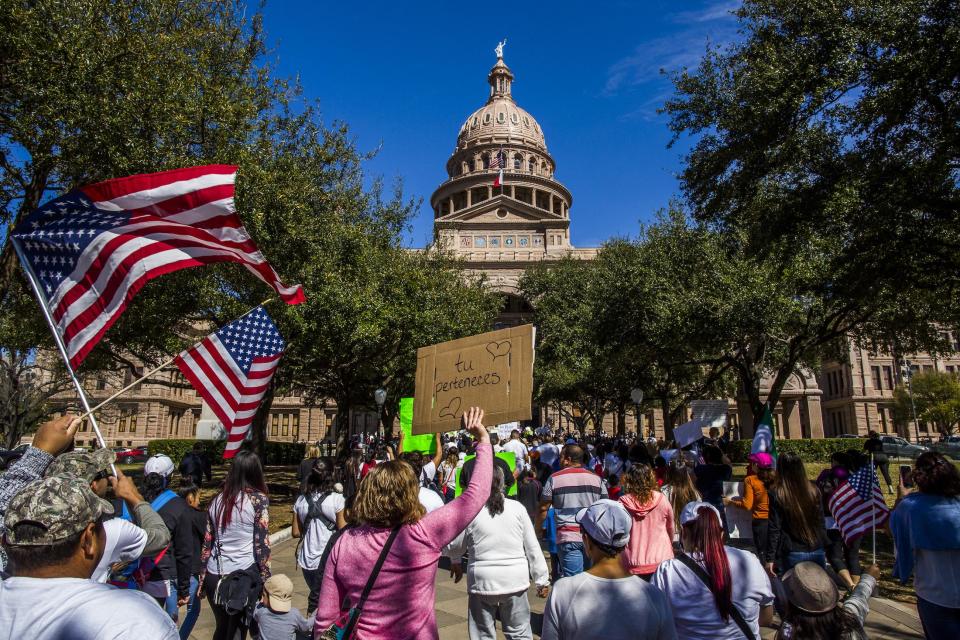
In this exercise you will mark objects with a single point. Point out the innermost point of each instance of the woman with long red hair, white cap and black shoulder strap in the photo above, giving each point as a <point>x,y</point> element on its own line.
<point>715,592</point>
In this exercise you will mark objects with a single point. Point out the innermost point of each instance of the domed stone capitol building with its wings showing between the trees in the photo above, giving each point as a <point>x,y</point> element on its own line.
<point>500,231</point>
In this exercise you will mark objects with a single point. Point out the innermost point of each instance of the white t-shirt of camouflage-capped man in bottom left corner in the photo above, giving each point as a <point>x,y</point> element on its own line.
<point>74,608</point>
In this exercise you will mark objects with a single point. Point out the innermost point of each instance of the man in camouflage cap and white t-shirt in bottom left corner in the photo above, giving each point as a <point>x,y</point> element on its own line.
<point>54,539</point>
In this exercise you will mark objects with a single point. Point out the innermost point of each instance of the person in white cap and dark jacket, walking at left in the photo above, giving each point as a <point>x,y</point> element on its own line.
<point>169,577</point>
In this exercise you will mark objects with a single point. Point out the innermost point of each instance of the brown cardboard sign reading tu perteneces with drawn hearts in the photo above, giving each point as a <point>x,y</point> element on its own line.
<point>492,370</point>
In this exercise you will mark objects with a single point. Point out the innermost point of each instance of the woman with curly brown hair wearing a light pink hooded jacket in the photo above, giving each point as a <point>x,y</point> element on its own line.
<point>651,537</point>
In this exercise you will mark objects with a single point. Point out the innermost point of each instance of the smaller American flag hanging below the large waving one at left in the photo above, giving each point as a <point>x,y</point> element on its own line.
<point>232,368</point>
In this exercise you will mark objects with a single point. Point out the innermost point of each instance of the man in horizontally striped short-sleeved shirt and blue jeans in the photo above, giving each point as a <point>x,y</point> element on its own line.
<point>567,491</point>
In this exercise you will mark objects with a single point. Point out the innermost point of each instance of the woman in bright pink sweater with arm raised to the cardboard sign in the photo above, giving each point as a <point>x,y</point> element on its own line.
<point>400,604</point>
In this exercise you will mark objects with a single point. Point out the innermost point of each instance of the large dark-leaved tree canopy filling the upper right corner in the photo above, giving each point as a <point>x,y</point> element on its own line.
<point>836,126</point>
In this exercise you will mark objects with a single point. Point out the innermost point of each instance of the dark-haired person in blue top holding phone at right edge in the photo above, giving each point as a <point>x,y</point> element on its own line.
<point>926,532</point>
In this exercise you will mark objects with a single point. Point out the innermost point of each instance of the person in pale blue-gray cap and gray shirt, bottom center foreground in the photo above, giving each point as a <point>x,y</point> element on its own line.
<point>641,609</point>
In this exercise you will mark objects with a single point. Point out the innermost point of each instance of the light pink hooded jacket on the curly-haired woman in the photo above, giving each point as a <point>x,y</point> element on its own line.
<point>651,537</point>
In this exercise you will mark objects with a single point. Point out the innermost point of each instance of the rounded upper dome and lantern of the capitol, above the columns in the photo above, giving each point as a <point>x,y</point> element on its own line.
<point>500,120</point>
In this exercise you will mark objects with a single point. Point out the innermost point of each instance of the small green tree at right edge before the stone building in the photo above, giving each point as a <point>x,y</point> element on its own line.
<point>936,398</point>
